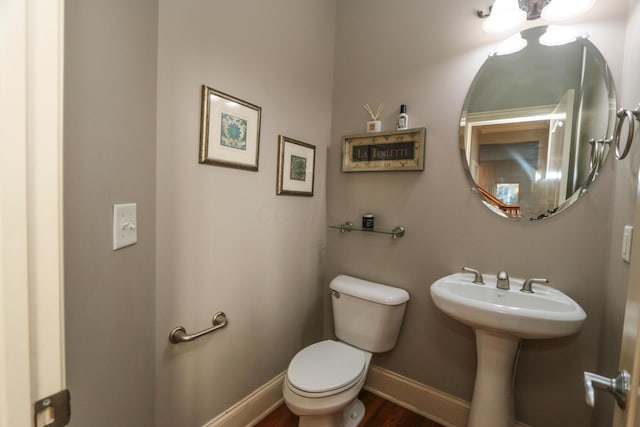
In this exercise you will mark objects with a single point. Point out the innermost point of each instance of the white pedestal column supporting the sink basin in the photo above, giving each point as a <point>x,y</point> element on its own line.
<point>492,402</point>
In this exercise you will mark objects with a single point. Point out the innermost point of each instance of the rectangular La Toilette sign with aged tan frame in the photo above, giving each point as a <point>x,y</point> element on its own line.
<point>384,151</point>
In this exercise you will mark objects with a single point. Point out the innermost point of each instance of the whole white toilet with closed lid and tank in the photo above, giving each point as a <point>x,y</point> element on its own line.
<point>324,379</point>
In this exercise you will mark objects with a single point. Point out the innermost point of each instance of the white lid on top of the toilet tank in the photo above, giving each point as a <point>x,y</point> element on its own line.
<point>372,291</point>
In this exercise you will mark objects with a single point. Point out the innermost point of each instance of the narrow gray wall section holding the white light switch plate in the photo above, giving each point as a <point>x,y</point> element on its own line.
<point>109,157</point>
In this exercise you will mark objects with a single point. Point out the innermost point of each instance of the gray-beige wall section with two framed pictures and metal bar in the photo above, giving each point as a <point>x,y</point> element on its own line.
<point>225,241</point>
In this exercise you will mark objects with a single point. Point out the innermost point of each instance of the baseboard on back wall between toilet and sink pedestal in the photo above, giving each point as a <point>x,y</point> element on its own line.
<point>433,404</point>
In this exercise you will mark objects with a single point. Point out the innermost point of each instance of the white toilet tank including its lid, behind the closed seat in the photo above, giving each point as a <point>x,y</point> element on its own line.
<point>366,314</point>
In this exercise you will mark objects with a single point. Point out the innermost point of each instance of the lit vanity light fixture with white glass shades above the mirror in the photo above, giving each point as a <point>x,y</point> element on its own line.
<point>505,15</point>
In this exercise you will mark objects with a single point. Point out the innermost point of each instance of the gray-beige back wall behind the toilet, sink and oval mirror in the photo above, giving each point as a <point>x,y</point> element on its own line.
<point>394,53</point>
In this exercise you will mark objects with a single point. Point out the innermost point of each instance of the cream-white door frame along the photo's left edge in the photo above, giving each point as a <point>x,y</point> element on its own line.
<point>32,362</point>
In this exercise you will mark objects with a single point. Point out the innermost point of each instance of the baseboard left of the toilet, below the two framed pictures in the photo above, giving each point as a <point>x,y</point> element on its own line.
<point>252,408</point>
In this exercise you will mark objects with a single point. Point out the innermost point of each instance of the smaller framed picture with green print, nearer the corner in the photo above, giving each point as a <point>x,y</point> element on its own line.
<point>296,167</point>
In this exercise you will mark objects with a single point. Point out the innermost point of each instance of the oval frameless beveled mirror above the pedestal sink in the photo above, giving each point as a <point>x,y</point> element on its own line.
<point>536,124</point>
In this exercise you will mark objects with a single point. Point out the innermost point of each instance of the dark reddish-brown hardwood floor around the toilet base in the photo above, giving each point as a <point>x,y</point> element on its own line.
<point>379,413</point>
